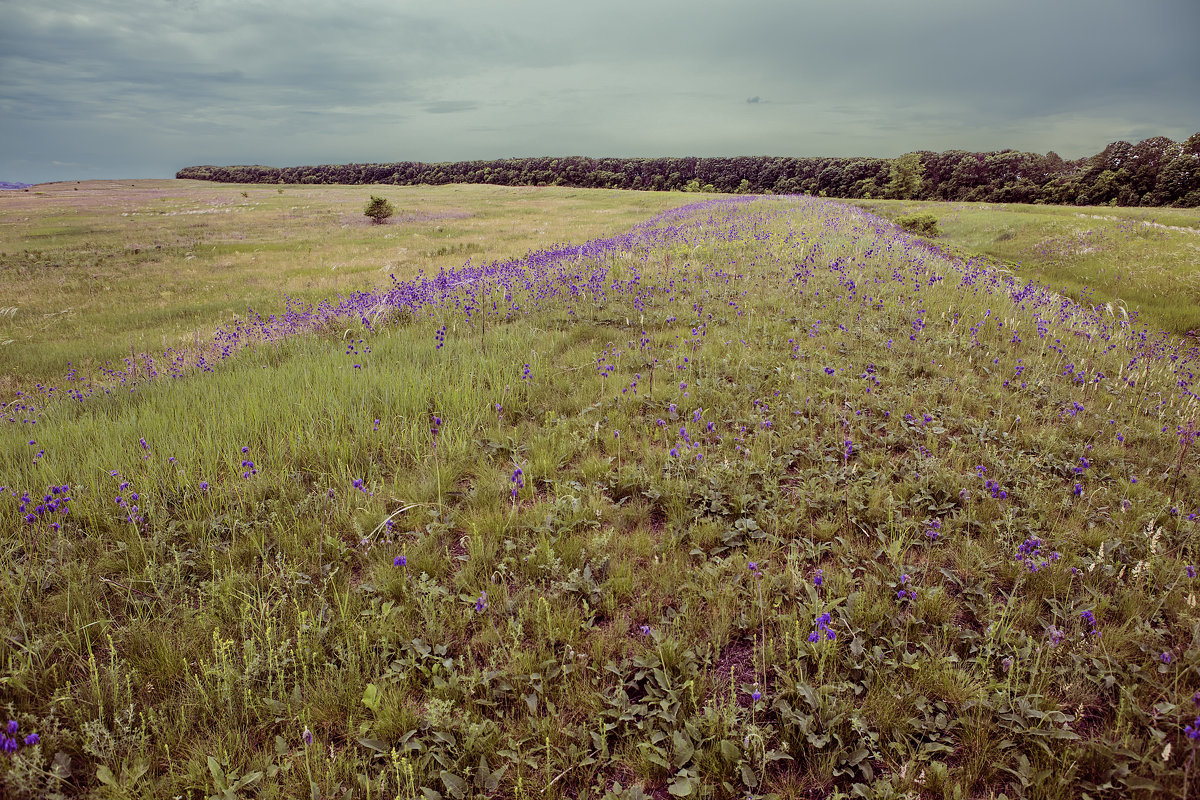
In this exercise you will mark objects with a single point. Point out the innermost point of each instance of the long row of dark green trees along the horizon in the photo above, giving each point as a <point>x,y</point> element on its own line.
<point>1154,172</point>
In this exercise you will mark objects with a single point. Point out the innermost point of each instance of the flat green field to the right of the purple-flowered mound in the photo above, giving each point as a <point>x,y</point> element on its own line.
<point>1143,260</point>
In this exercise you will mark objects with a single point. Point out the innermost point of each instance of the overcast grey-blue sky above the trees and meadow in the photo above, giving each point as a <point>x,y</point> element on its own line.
<point>94,89</point>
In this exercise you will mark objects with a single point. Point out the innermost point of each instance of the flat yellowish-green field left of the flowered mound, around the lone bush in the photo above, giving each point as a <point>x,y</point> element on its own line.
<point>98,270</point>
